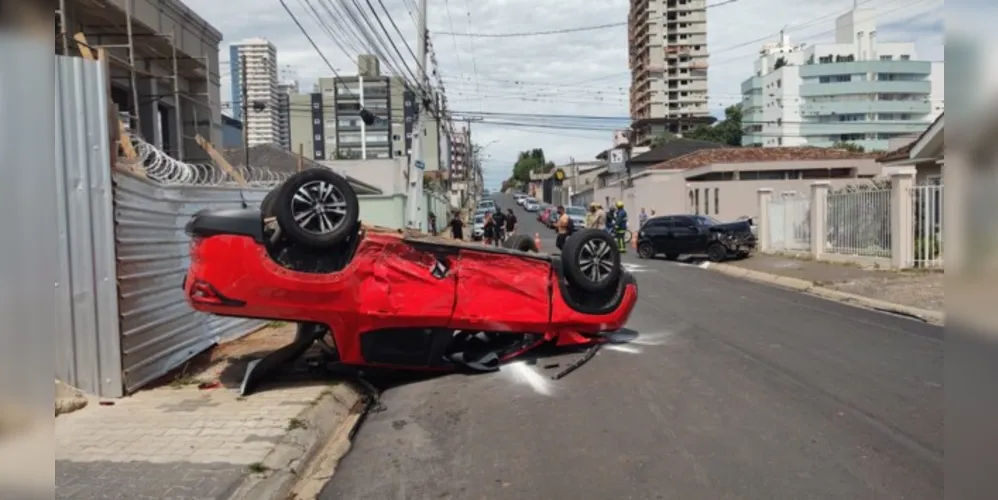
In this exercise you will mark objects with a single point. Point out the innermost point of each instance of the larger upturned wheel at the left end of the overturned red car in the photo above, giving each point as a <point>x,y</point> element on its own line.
<point>317,208</point>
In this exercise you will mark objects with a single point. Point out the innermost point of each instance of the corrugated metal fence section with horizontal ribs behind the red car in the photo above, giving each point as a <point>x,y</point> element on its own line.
<point>159,331</point>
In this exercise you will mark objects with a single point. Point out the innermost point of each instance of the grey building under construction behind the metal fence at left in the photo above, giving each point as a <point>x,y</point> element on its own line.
<point>172,94</point>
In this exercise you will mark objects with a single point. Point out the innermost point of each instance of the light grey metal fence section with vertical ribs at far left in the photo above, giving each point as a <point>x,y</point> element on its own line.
<point>87,340</point>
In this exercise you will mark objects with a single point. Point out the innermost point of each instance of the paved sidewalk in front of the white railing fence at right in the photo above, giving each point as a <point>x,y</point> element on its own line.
<point>921,289</point>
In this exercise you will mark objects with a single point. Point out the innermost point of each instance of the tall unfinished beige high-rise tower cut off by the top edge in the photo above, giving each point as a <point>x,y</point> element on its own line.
<point>667,46</point>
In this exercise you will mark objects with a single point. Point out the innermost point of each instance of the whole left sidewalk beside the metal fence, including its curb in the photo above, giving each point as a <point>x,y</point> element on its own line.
<point>182,441</point>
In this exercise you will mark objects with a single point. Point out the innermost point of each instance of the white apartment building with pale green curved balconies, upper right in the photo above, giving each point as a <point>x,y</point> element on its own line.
<point>855,90</point>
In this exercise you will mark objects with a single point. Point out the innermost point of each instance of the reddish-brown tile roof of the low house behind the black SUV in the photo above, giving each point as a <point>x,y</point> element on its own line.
<point>705,157</point>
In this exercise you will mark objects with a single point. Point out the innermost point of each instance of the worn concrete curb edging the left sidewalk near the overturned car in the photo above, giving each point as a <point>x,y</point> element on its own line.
<point>333,414</point>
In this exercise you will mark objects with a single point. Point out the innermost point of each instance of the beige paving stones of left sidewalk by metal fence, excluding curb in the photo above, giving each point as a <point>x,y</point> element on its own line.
<point>179,441</point>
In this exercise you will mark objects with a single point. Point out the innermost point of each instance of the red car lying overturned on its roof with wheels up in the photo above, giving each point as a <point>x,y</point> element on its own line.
<point>400,299</point>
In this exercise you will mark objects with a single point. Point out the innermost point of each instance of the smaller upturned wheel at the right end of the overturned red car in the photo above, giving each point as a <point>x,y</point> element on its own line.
<point>591,260</point>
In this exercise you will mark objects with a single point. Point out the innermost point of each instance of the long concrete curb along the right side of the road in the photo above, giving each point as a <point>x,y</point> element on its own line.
<point>933,317</point>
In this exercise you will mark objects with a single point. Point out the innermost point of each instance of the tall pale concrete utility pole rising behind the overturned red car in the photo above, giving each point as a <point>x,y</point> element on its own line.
<point>415,200</point>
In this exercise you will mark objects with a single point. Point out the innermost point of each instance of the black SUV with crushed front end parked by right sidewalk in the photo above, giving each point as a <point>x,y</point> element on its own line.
<point>675,235</point>
